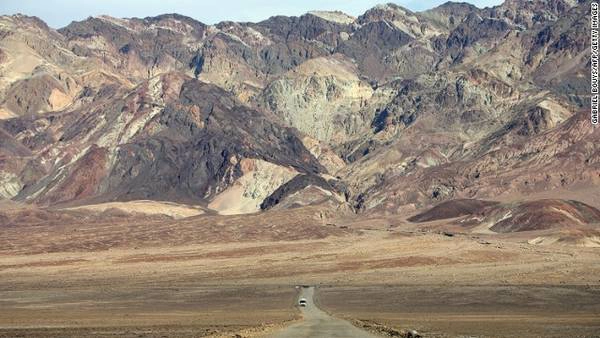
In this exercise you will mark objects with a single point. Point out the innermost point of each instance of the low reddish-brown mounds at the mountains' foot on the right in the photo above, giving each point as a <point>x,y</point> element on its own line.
<point>543,221</point>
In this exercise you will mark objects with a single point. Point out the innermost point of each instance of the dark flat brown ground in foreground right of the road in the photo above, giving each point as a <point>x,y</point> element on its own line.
<point>471,311</point>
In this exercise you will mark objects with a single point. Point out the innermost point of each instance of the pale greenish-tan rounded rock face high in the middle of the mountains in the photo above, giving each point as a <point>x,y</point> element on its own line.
<point>322,98</point>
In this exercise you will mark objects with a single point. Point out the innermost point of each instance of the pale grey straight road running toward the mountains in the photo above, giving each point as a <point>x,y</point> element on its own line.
<point>317,323</point>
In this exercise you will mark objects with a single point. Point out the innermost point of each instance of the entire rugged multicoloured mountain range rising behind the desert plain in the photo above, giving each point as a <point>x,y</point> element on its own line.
<point>388,112</point>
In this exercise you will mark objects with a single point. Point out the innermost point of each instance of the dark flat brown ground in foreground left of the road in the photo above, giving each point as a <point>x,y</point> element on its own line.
<point>143,309</point>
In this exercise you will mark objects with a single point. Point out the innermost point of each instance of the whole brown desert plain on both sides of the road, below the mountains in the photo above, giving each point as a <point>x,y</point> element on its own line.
<point>217,275</point>
